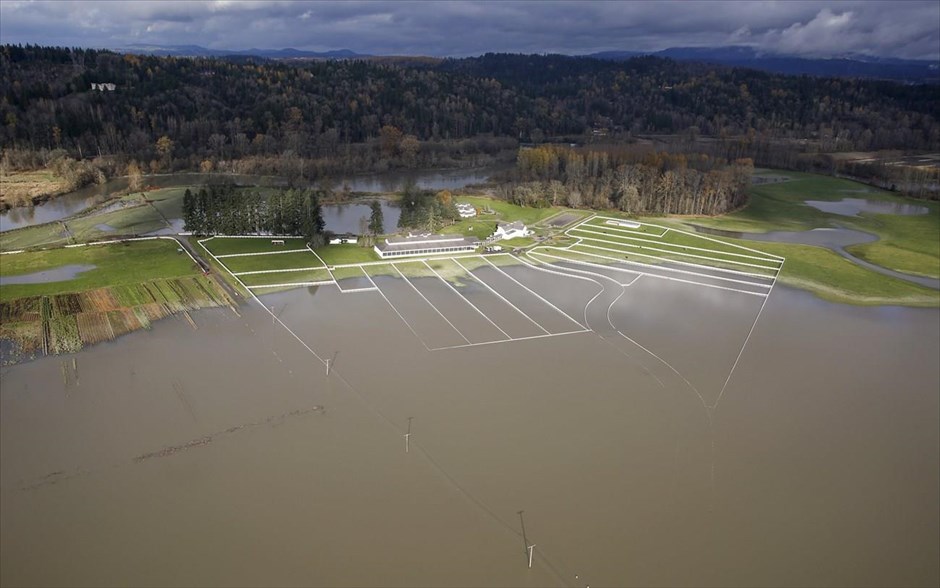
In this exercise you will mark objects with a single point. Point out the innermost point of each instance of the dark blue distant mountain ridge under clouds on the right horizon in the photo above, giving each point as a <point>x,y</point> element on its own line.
<point>851,65</point>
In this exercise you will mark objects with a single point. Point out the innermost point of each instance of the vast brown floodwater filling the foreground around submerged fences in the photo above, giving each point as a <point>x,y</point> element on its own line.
<point>158,462</point>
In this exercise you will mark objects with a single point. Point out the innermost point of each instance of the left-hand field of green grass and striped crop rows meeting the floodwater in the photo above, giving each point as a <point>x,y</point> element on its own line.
<point>131,285</point>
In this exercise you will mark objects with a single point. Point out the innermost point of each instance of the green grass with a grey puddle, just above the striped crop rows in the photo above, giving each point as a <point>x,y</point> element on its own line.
<point>116,264</point>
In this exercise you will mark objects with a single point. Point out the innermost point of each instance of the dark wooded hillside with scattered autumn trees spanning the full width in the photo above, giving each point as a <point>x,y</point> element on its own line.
<point>309,118</point>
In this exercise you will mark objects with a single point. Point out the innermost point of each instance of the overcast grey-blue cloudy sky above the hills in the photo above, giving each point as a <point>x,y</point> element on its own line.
<point>894,28</point>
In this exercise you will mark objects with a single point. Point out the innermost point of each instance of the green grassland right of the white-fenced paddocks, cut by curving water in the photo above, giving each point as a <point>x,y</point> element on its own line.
<point>908,244</point>
